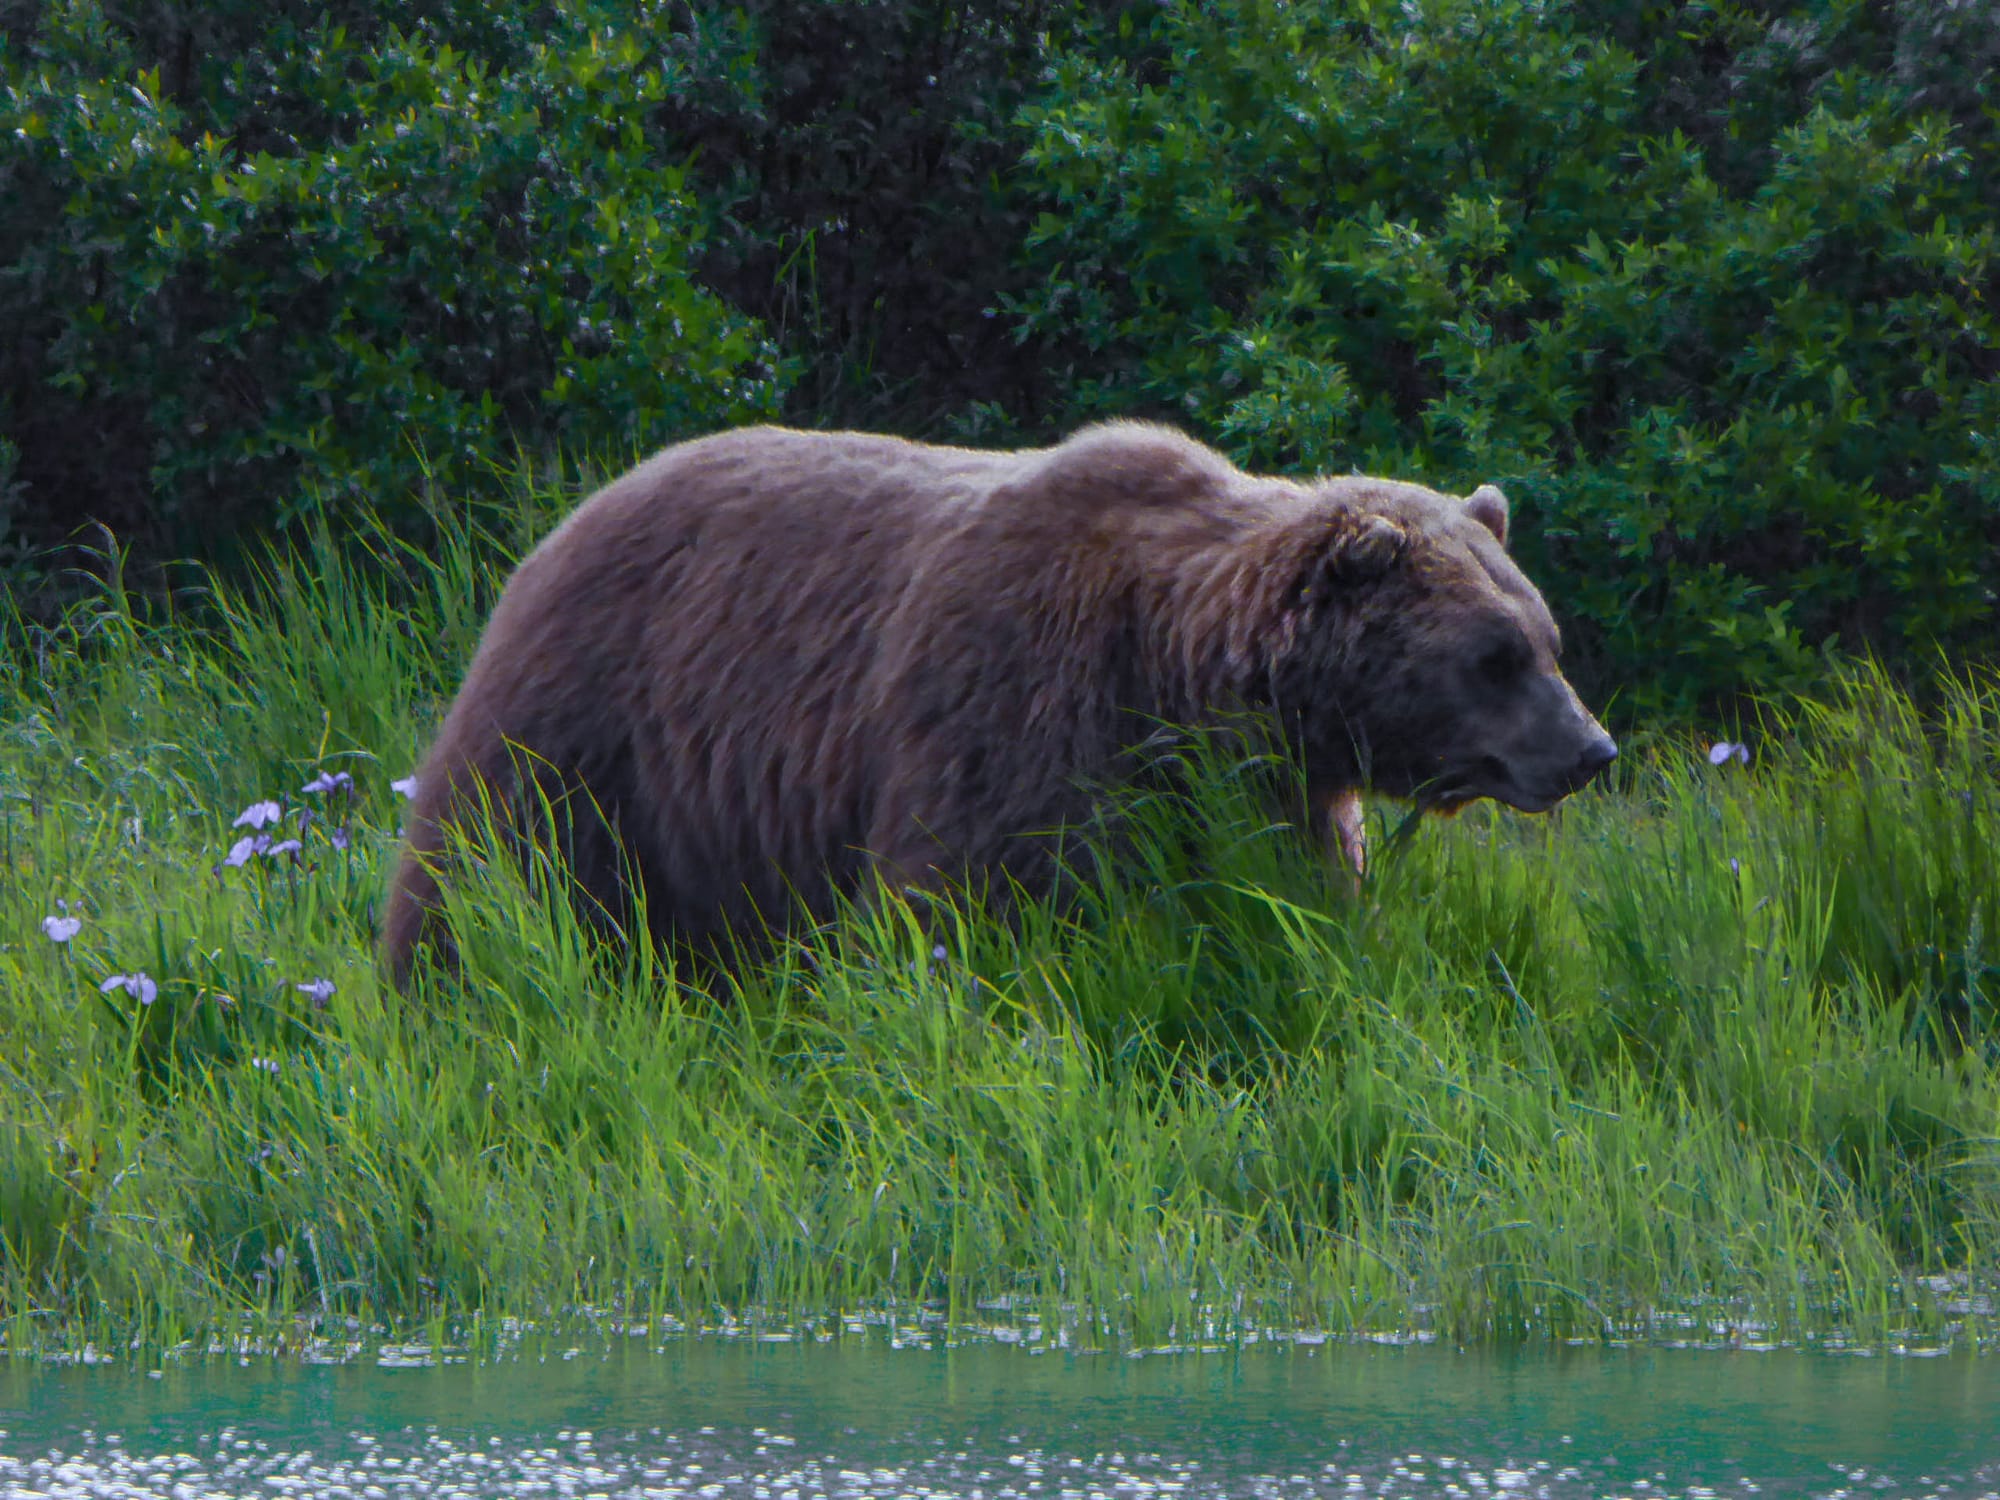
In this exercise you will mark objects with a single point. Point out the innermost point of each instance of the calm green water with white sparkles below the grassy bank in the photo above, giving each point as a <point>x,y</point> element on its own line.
<point>731,1419</point>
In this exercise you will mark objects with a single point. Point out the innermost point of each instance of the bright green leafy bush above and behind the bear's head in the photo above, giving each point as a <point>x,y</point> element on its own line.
<point>1719,319</point>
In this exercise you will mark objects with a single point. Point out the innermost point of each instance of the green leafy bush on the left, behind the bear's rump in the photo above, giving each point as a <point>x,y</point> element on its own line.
<point>399,261</point>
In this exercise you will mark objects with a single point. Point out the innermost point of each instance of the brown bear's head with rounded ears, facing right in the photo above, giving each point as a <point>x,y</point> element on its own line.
<point>1413,657</point>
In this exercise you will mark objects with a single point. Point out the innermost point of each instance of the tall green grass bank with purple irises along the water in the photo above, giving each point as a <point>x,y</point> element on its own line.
<point>1715,1043</point>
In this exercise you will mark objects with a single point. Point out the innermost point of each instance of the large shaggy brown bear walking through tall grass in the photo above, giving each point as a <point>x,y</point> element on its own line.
<point>769,665</point>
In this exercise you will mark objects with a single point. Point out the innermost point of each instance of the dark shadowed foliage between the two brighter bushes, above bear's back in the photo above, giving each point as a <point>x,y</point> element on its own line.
<point>863,165</point>
